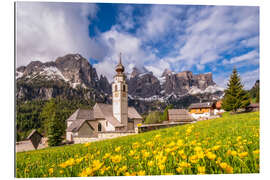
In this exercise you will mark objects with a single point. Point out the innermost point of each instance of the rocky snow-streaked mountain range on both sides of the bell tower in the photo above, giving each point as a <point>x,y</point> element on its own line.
<point>73,77</point>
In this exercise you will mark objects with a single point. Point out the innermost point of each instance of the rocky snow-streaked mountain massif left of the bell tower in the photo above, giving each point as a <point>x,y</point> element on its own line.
<point>69,76</point>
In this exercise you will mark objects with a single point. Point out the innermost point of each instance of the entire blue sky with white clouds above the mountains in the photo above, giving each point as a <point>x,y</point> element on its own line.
<point>178,37</point>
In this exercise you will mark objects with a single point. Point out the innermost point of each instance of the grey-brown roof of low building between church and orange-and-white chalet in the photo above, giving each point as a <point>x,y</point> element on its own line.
<point>179,115</point>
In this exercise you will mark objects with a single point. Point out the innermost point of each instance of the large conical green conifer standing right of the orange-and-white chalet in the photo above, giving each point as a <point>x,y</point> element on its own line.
<point>235,96</point>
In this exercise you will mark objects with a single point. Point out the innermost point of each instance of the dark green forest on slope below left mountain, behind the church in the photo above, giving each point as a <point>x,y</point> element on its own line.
<point>32,114</point>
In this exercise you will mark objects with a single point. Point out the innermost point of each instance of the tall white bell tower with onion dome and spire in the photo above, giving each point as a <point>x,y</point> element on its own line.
<point>120,94</point>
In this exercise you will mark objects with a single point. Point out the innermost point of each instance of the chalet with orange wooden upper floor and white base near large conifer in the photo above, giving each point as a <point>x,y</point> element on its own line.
<point>202,110</point>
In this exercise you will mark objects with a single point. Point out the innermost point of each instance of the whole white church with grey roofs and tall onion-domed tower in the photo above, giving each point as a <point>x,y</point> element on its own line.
<point>105,120</point>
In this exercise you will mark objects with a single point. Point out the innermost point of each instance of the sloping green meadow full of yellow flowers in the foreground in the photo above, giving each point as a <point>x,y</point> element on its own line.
<point>225,145</point>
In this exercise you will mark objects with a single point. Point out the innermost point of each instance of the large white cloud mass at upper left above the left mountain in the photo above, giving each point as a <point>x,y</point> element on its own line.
<point>45,31</point>
